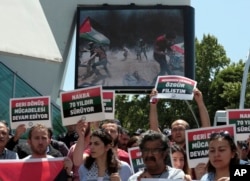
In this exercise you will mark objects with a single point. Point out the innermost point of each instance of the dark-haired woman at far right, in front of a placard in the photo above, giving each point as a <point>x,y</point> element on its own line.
<point>222,154</point>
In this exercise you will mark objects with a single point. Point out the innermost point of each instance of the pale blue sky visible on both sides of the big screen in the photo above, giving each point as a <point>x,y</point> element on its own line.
<point>227,20</point>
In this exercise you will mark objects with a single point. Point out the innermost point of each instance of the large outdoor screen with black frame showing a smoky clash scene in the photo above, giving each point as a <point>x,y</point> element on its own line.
<point>125,48</point>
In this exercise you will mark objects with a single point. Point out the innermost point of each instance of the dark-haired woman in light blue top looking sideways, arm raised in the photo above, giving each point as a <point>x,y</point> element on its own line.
<point>102,164</point>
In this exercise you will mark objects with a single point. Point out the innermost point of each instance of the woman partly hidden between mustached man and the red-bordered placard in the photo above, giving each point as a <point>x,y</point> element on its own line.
<point>179,160</point>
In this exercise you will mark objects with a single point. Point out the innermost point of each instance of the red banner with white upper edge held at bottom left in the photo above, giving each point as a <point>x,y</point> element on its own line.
<point>45,169</point>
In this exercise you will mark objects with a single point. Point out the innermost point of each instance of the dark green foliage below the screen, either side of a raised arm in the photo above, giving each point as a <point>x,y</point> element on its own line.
<point>133,112</point>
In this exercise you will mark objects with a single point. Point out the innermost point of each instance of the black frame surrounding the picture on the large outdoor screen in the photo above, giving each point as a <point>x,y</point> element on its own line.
<point>188,37</point>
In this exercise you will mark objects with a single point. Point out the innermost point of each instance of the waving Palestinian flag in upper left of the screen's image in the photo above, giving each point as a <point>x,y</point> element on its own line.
<point>89,33</point>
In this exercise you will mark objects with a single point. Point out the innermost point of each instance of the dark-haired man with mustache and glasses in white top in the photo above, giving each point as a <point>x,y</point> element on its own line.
<point>154,149</point>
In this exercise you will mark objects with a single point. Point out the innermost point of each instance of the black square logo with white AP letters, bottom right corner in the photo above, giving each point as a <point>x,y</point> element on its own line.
<point>239,172</point>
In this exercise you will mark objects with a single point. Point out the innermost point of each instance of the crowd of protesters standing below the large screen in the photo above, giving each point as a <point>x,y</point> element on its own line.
<point>99,150</point>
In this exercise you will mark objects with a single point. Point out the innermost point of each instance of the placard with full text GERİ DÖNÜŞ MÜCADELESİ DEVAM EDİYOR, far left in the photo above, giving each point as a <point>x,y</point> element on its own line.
<point>29,109</point>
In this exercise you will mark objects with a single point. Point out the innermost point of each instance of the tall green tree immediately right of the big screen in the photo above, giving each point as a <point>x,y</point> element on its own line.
<point>210,60</point>
